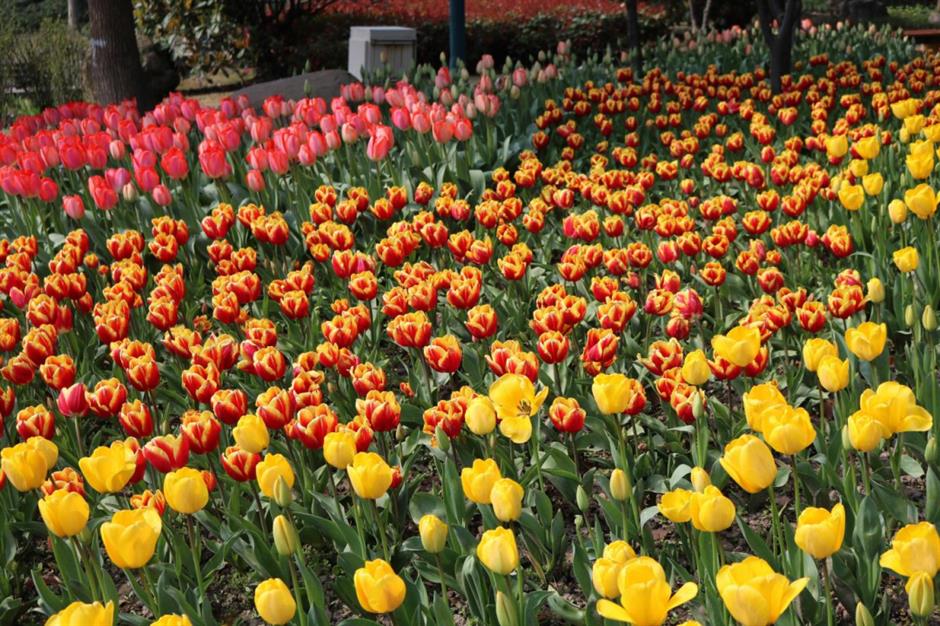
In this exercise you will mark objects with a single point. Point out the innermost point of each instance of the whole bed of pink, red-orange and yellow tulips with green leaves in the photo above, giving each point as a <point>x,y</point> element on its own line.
<point>555,345</point>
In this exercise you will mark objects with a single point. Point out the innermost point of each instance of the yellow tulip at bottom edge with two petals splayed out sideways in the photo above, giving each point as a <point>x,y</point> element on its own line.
<point>645,596</point>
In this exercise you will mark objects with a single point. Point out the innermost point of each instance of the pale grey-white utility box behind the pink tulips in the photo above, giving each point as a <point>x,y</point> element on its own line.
<point>367,44</point>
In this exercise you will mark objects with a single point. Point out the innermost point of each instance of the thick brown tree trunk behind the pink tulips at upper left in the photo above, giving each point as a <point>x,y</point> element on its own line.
<point>115,70</point>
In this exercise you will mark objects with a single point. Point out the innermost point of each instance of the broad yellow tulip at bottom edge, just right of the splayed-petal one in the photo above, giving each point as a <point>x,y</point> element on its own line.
<point>754,594</point>
